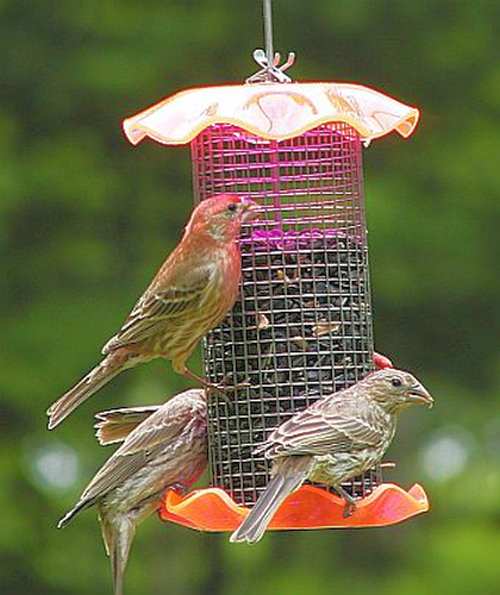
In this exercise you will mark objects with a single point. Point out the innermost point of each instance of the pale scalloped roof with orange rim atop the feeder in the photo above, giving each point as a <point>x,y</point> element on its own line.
<point>271,111</point>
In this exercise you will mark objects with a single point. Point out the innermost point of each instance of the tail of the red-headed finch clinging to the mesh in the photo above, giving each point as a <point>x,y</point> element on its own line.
<point>110,367</point>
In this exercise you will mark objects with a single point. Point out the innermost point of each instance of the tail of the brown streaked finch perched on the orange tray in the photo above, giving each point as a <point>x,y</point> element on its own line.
<point>281,485</point>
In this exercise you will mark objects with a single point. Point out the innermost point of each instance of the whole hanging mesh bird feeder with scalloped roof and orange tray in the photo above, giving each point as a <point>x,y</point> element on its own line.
<point>302,327</point>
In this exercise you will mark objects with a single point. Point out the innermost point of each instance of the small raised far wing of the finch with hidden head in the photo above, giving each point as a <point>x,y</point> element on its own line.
<point>116,424</point>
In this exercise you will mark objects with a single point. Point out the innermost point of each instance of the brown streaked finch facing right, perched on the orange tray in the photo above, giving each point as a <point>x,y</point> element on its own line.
<point>333,440</point>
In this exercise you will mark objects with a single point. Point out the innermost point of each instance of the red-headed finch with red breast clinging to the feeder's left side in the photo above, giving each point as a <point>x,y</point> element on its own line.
<point>191,293</point>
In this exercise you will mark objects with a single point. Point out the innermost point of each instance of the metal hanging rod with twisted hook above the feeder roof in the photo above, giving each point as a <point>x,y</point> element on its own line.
<point>268,60</point>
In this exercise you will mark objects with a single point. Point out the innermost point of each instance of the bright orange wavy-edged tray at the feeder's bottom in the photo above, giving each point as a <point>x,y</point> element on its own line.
<point>212,509</point>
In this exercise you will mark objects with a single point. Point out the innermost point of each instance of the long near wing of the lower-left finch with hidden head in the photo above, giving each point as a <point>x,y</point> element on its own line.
<point>158,432</point>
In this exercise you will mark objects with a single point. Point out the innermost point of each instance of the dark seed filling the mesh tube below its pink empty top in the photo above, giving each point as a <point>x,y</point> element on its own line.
<point>301,330</point>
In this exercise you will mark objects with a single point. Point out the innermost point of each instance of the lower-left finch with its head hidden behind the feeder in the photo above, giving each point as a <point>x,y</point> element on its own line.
<point>163,447</point>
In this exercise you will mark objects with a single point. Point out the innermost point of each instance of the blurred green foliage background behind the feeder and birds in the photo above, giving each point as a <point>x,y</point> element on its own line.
<point>85,219</point>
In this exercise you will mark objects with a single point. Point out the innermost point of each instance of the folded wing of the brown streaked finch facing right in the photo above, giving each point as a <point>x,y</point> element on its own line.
<point>321,430</point>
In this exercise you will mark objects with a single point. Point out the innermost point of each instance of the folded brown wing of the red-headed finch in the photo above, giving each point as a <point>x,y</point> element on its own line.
<point>163,302</point>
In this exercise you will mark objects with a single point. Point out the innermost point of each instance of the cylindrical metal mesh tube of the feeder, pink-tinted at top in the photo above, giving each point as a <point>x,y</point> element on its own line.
<point>302,326</point>
